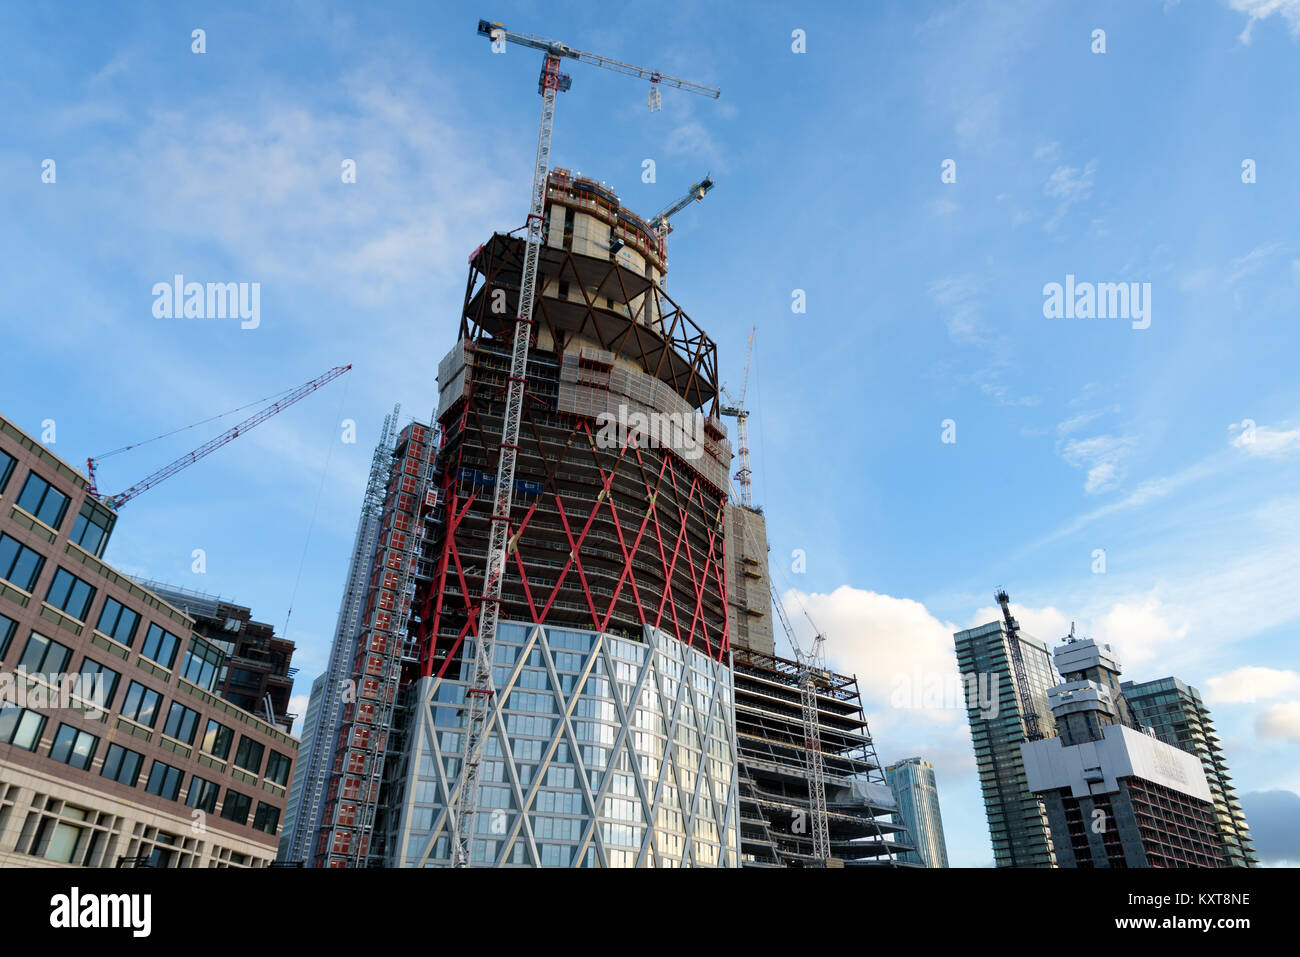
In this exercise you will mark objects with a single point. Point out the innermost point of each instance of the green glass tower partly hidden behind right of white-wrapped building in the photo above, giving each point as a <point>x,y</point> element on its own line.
<point>1176,713</point>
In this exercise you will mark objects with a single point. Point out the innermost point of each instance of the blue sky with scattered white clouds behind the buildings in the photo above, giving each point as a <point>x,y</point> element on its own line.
<point>1175,449</point>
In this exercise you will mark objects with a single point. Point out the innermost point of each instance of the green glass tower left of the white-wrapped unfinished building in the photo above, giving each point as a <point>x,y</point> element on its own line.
<point>1017,821</point>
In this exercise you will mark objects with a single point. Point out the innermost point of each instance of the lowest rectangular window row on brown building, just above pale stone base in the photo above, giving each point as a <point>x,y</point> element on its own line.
<point>77,748</point>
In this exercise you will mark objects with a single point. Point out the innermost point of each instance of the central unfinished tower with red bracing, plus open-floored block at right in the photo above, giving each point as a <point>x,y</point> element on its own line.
<point>613,737</point>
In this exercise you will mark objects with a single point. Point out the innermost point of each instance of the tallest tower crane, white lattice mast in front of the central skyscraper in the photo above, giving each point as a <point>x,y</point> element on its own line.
<point>479,691</point>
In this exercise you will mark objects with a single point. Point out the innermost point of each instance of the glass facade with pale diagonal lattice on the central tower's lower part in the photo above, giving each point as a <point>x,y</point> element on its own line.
<point>603,752</point>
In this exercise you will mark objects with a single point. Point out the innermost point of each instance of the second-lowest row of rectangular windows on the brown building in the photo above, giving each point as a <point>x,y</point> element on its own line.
<point>144,705</point>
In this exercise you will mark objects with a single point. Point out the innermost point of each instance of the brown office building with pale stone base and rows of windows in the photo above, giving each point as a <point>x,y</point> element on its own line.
<point>112,735</point>
